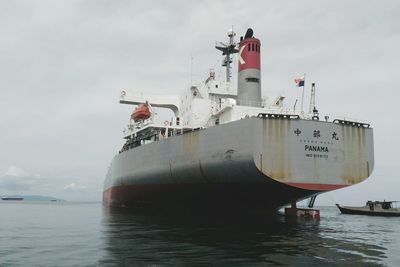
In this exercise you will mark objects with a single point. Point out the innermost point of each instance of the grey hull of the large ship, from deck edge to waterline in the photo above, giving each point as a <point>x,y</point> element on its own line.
<point>254,163</point>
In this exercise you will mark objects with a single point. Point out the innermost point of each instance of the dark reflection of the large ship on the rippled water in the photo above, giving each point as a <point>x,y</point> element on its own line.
<point>146,239</point>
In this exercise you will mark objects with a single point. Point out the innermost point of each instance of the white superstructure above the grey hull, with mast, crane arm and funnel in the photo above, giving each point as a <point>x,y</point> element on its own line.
<point>214,101</point>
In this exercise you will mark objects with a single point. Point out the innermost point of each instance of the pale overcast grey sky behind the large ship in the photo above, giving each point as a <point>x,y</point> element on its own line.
<point>63,64</point>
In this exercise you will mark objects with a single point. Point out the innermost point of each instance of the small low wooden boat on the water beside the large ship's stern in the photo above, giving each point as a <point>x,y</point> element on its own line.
<point>373,208</point>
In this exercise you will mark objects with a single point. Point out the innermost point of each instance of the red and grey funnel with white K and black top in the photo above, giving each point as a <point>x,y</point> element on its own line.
<point>249,76</point>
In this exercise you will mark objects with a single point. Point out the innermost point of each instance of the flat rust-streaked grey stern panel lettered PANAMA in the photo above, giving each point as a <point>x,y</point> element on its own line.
<point>340,153</point>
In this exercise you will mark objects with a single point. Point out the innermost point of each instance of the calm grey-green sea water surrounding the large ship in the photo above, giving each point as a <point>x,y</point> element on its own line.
<point>86,234</point>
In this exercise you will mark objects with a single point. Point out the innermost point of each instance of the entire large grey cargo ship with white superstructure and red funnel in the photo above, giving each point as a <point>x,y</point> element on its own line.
<point>229,148</point>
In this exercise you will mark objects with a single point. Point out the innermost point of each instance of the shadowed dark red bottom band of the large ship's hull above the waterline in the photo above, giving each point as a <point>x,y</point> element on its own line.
<point>257,196</point>
